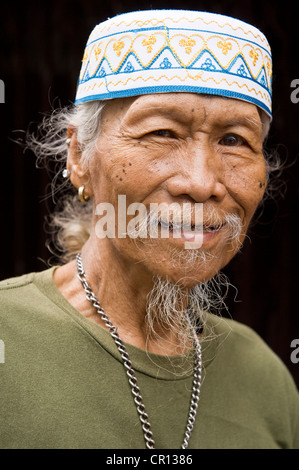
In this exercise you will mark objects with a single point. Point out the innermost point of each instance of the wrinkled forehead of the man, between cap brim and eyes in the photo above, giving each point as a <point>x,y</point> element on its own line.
<point>187,109</point>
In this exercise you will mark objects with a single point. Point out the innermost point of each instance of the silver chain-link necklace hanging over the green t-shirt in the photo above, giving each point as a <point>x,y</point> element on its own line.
<point>148,435</point>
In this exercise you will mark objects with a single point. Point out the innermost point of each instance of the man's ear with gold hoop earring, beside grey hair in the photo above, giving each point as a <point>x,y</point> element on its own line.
<point>79,175</point>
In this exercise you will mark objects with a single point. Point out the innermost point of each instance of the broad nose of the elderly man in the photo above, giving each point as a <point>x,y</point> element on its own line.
<point>199,176</point>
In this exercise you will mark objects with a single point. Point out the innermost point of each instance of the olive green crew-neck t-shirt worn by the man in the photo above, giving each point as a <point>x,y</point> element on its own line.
<point>63,383</point>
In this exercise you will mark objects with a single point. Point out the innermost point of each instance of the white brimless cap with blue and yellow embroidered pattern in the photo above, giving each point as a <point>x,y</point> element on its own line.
<point>160,51</point>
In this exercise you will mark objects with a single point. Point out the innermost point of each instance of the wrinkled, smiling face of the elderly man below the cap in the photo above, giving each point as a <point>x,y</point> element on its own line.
<point>181,148</point>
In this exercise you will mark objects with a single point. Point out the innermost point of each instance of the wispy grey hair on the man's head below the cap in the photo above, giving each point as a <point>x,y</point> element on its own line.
<point>70,225</point>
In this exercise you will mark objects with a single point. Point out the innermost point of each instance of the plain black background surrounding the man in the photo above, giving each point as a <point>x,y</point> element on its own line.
<point>42,45</point>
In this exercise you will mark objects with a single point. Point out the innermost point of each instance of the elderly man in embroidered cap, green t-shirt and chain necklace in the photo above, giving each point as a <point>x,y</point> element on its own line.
<point>117,347</point>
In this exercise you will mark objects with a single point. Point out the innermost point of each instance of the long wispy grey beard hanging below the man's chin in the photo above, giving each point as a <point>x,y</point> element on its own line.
<point>173,311</point>
